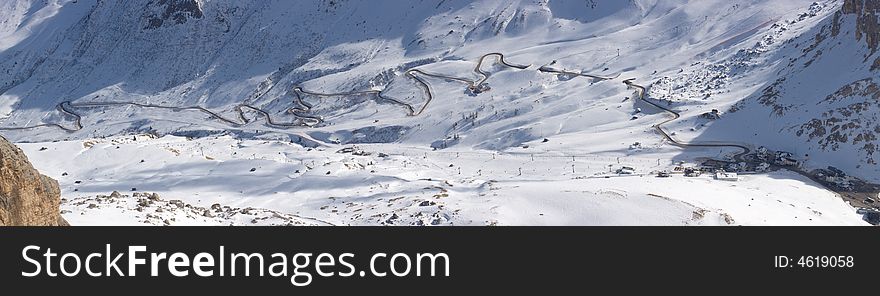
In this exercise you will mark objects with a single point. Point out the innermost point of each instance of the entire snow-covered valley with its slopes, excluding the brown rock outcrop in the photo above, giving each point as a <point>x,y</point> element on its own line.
<point>360,112</point>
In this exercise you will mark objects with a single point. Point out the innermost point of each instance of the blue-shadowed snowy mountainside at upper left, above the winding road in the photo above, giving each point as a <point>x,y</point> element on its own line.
<point>217,53</point>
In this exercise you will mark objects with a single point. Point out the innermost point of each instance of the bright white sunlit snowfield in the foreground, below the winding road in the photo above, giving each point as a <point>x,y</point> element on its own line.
<point>410,186</point>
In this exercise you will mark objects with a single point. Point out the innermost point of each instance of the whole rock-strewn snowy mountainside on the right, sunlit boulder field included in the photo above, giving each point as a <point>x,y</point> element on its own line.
<point>805,85</point>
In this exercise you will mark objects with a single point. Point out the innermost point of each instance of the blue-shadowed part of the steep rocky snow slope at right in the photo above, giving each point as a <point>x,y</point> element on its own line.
<point>819,95</point>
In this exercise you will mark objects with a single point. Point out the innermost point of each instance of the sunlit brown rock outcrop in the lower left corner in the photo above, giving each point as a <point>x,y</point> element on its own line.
<point>26,196</point>
